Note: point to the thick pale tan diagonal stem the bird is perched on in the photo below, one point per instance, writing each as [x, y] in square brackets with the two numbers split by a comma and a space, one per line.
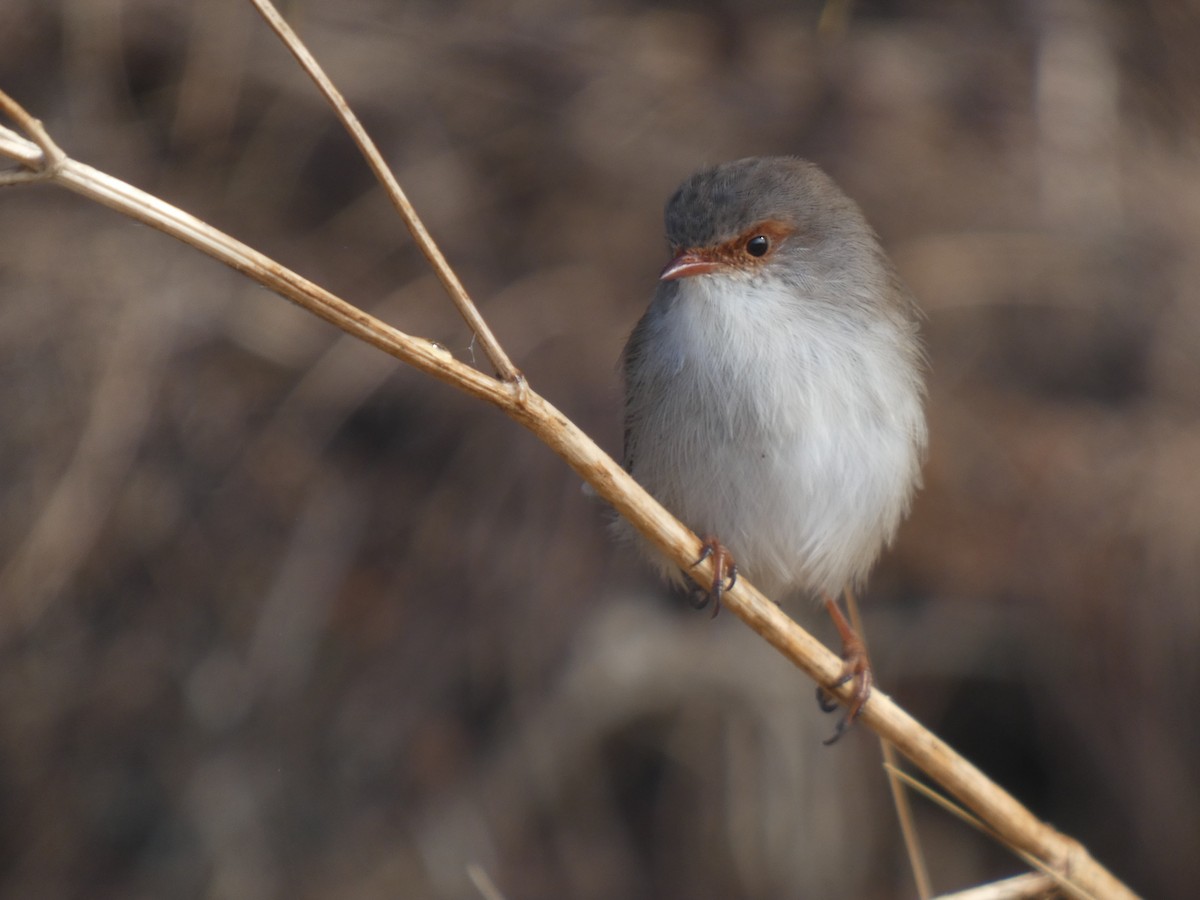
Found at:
[1066, 857]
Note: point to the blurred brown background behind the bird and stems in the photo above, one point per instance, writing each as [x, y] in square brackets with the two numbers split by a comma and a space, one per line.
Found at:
[280, 619]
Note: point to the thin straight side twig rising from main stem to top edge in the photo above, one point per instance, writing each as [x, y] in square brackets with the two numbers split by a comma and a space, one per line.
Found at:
[449, 279]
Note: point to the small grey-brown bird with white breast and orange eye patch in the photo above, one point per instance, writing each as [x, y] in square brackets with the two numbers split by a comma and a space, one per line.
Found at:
[775, 389]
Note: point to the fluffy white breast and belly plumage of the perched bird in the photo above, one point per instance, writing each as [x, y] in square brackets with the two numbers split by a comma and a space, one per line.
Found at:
[789, 430]
